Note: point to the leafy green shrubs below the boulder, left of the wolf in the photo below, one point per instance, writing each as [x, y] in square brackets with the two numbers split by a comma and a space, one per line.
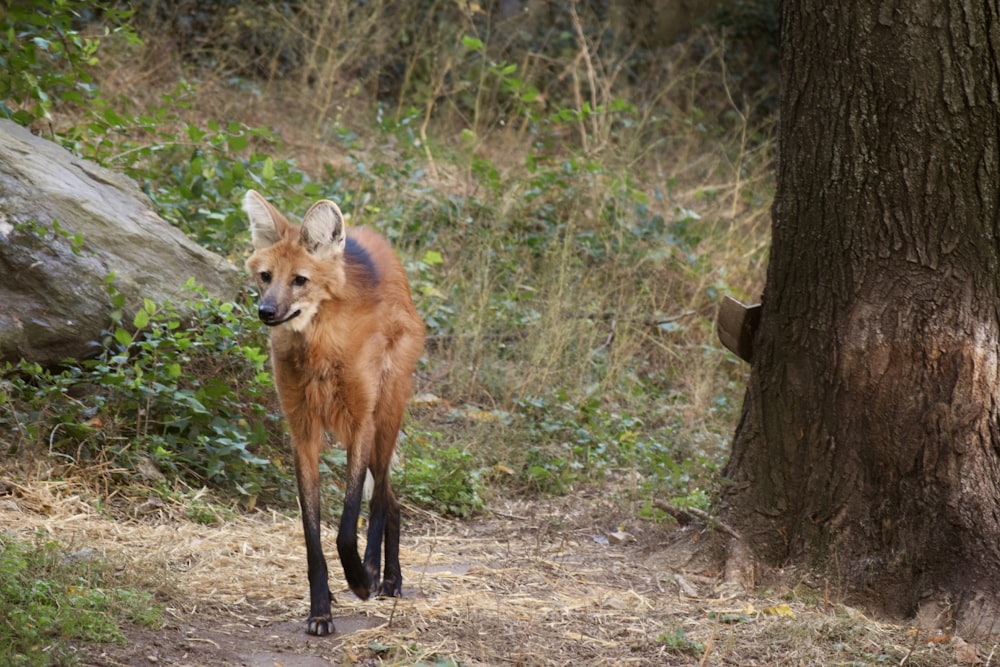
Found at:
[185, 388]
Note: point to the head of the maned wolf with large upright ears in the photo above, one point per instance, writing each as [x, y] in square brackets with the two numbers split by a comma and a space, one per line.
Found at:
[296, 268]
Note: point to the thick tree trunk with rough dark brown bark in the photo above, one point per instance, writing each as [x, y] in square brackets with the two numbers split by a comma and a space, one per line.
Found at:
[869, 443]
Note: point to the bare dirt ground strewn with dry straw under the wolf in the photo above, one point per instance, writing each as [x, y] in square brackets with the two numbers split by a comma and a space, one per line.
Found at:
[564, 581]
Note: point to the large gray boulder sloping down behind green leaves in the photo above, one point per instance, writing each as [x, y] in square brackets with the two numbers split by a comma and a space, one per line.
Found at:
[54, 303]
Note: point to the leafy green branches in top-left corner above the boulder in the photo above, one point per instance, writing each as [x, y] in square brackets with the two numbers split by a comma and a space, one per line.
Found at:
[45, 56]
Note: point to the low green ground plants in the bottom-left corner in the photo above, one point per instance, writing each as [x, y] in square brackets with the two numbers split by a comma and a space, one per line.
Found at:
[50, 599]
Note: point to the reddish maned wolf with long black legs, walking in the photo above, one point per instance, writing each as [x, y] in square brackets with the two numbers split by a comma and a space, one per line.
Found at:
[344, 341]
